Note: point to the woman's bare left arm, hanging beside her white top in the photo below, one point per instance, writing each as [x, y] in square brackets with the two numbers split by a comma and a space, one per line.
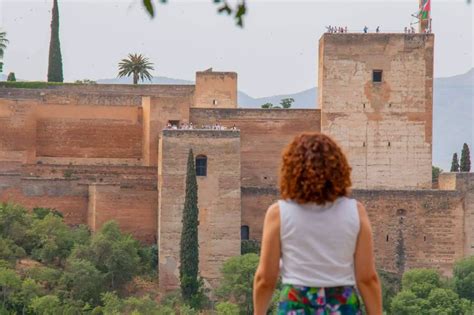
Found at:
[269, 265]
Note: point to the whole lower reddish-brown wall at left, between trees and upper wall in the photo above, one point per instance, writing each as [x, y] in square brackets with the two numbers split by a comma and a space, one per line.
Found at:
[66, 188]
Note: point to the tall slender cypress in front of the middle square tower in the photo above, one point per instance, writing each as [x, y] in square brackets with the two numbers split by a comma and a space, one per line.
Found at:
[189, 246]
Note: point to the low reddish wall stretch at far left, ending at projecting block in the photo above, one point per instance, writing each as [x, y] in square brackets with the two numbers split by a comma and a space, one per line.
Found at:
[70, 197]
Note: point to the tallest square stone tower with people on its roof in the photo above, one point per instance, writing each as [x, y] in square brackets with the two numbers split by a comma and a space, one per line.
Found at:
[376, 98]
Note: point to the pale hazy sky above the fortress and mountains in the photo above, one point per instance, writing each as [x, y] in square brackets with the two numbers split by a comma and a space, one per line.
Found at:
[275, 53]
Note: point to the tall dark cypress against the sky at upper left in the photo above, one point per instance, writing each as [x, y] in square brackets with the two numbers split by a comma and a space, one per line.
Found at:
[55, 65]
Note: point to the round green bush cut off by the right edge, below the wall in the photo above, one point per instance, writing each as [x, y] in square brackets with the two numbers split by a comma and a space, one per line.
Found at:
[463, 275]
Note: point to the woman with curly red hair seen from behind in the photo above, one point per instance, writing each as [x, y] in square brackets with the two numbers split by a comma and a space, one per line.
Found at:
[318, 238]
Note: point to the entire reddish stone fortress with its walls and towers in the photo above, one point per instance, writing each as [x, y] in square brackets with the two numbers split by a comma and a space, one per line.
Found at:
[103, 152]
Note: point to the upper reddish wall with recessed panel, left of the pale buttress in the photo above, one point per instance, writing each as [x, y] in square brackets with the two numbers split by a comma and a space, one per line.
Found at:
[33, 131]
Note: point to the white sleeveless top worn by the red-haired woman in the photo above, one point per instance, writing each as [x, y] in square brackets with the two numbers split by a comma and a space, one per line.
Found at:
[318, 242]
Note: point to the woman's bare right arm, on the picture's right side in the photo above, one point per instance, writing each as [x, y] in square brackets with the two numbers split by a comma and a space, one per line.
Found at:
[366, 276]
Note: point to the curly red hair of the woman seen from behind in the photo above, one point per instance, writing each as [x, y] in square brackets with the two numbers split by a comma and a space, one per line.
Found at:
[314, 169]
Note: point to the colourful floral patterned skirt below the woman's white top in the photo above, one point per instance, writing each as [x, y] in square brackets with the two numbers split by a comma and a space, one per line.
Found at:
[296, 300]
